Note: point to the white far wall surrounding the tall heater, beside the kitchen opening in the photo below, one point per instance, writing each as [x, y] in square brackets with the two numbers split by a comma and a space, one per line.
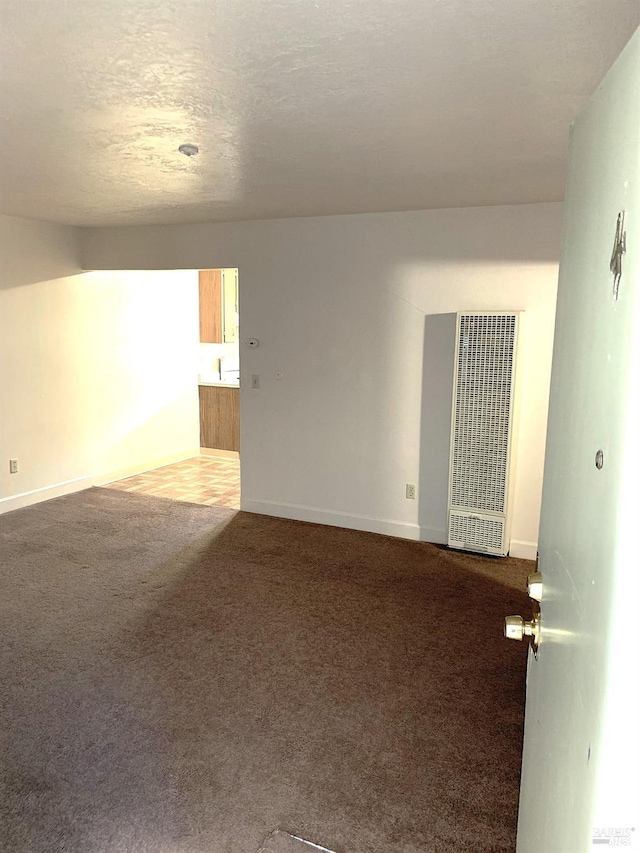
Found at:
[338, 304]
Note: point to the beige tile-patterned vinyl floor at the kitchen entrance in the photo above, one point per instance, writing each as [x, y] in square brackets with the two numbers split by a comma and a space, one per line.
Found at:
[208, 480]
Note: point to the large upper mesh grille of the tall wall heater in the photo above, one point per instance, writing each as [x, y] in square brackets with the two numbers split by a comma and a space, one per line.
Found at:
[482, 411]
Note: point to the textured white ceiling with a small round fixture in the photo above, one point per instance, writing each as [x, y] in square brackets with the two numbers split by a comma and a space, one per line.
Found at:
[299, 107]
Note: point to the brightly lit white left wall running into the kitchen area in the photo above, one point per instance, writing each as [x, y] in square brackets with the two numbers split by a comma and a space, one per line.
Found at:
[98, 371]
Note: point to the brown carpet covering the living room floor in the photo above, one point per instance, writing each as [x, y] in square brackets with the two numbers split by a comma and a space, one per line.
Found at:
[181, 678]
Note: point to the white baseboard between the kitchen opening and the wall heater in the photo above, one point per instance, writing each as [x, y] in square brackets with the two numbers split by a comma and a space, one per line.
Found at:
[387, 527]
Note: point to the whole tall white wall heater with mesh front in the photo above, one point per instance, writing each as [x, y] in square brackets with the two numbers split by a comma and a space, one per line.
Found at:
[480, 476]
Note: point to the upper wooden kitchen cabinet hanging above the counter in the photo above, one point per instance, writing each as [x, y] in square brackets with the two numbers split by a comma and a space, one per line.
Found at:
[218, 292]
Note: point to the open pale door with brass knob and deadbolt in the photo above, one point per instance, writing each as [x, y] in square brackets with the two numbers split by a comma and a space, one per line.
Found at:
[580, 762]
